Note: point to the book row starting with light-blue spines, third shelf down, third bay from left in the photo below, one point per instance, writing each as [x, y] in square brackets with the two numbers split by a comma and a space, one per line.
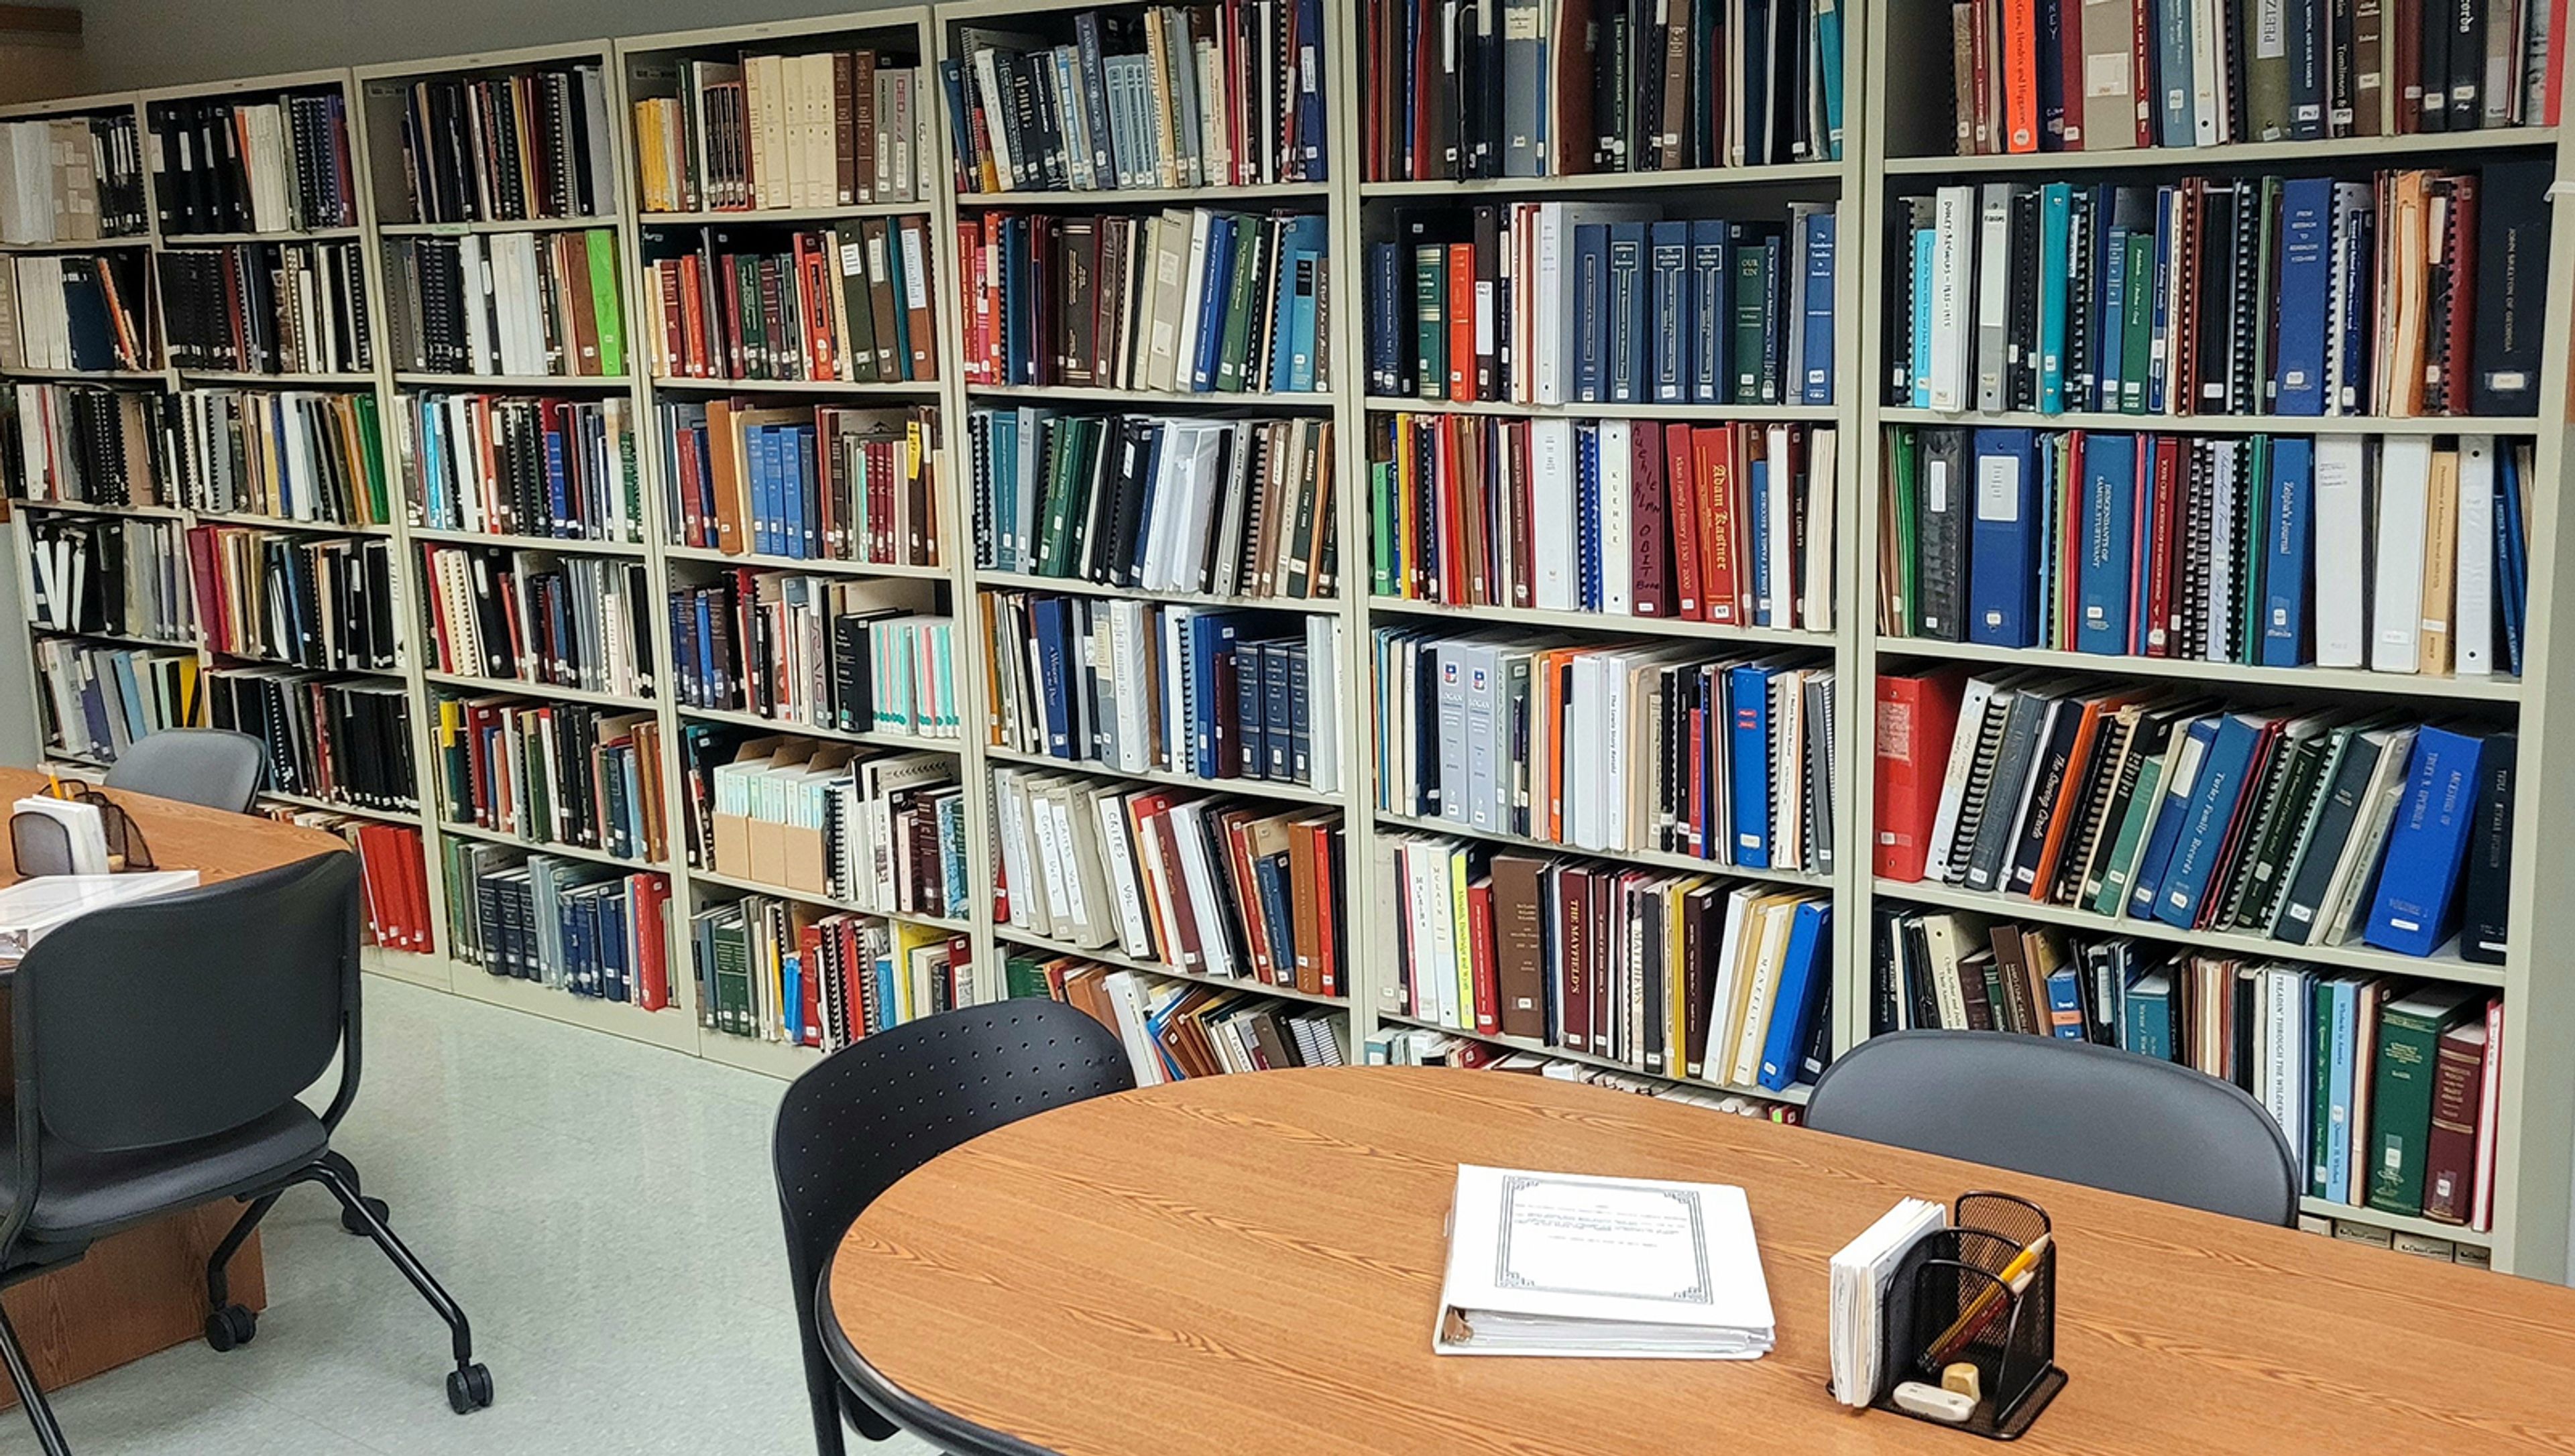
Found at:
[506, 464]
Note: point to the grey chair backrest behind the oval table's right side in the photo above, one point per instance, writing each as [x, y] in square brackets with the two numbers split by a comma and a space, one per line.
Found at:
[2064, 1110]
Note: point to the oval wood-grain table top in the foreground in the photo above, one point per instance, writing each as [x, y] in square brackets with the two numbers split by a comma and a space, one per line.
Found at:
[1253, 1264]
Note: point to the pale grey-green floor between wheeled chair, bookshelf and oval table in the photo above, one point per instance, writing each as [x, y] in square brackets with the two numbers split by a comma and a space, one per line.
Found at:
[604, 1213]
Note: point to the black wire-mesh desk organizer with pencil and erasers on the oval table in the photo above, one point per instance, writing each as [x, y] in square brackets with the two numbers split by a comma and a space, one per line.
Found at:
[2015, 1349]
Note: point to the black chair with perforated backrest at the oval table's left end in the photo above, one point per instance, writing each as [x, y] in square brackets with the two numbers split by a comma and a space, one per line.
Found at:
[872, 1113]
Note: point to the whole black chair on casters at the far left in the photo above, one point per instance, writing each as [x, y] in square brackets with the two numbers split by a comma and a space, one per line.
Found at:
[161, 1051]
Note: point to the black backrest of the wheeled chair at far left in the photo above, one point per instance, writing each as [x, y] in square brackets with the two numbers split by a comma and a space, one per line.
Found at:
[189, 1015]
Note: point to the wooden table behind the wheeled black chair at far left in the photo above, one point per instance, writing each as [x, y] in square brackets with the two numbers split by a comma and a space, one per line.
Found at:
[145, 1290]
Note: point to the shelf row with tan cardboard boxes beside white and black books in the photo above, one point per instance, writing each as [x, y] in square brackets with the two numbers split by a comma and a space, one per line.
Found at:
[872, 832]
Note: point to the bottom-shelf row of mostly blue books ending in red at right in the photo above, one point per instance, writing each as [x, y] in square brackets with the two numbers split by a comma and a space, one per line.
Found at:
[568, 925]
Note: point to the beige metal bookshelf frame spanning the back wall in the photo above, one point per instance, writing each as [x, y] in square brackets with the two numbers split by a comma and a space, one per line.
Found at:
[1896, 143]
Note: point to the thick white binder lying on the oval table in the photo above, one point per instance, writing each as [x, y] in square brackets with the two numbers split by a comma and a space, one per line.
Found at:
[1559, 1264]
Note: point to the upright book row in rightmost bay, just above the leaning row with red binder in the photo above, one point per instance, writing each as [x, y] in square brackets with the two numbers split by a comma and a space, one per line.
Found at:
[2404, 554]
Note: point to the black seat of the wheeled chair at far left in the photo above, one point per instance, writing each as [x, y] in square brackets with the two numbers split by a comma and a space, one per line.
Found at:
[91, 1195]
